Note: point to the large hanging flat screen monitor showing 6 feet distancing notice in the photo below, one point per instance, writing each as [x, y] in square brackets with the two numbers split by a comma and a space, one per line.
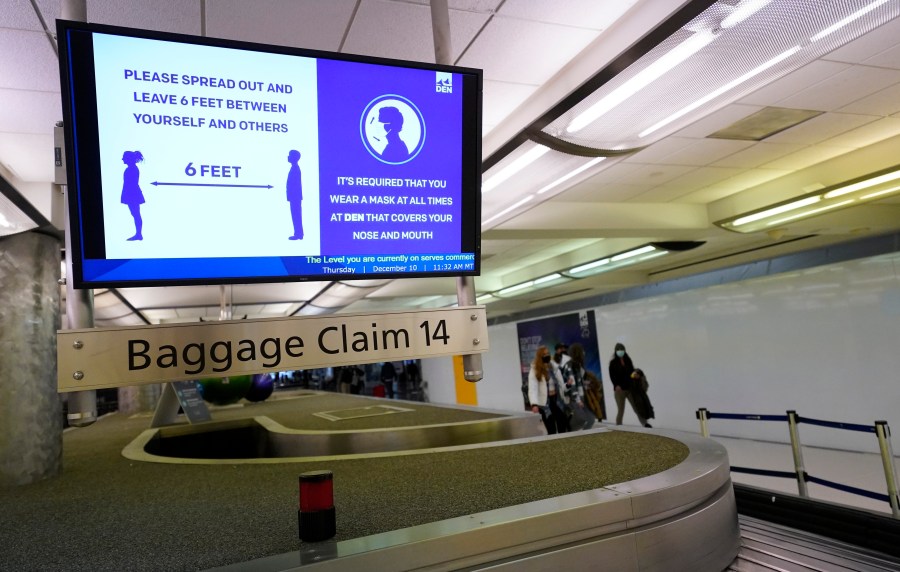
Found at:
[206, 161]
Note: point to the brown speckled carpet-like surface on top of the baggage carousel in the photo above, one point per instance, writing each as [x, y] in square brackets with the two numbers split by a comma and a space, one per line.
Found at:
[109, 513]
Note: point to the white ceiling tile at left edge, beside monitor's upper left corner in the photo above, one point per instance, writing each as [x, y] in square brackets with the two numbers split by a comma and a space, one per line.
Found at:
[41, 72]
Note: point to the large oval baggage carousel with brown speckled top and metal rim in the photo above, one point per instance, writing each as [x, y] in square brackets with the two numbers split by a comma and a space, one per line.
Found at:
[416, 487]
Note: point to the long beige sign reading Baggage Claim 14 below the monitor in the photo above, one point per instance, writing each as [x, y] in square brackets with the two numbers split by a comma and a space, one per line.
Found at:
[98, 358]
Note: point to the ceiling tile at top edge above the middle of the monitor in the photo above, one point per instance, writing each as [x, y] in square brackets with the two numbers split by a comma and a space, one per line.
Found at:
[310, 24]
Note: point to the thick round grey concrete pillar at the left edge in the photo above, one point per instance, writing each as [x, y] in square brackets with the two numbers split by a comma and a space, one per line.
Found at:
[30, 410]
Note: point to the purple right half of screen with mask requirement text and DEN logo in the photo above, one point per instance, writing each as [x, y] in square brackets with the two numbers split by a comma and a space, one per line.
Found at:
[389, 147]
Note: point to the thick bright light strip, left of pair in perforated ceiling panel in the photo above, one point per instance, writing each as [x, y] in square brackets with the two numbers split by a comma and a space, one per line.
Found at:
[645, 77]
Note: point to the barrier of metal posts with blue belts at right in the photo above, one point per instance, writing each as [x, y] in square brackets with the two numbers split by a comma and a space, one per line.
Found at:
[879, 428]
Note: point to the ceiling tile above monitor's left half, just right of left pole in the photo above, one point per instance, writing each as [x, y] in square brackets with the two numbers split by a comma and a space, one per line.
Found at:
[178, 16]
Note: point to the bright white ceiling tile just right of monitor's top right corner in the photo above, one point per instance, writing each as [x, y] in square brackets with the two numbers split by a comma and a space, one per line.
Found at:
[524, 52]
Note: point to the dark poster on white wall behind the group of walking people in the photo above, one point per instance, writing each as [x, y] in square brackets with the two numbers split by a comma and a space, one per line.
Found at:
[568, 329]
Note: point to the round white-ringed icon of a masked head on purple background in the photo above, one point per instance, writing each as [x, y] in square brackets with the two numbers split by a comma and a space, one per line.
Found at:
[392, 129]
